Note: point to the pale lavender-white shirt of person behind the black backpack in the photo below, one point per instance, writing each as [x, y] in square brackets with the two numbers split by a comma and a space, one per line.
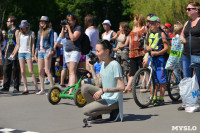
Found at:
[93, 35]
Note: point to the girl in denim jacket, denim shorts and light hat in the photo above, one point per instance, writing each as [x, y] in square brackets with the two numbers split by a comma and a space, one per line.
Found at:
[44, 50]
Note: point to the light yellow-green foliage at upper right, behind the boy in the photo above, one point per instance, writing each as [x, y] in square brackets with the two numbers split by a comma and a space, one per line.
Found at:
[167, 10]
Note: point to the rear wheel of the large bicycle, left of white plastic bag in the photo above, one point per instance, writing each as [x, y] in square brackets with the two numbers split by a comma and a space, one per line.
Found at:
[172, 85]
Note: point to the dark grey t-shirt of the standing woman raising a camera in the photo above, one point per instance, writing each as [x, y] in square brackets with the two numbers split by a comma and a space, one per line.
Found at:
[76, 45]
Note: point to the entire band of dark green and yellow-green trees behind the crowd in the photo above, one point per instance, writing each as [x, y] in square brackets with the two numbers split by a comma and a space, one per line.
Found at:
[114, 10]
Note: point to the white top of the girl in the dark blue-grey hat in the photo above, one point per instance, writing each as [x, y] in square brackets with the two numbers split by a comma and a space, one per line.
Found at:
[24, 48]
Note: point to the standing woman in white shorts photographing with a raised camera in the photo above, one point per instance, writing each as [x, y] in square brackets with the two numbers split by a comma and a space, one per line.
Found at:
[73, 46]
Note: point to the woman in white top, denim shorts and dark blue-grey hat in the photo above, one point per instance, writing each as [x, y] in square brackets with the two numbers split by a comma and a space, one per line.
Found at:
[25, 49]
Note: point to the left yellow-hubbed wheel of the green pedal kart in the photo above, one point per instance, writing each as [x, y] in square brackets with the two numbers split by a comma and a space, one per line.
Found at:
[53, 95]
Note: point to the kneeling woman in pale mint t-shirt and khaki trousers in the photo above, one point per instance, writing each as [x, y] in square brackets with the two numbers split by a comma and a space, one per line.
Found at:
[109, 98]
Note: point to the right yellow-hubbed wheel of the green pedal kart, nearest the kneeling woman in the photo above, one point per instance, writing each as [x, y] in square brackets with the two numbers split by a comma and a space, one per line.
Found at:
[79, 99]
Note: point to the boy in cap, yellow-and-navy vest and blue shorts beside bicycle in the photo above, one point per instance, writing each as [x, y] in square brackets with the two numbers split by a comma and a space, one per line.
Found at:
[158, 57]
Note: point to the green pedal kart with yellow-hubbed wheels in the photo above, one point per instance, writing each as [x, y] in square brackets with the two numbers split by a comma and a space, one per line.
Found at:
[55, 94]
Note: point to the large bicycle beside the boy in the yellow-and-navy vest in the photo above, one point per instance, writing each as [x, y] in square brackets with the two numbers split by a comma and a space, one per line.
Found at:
[143, 86]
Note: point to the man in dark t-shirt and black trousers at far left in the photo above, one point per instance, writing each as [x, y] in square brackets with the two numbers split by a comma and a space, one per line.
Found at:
[11, 65]
